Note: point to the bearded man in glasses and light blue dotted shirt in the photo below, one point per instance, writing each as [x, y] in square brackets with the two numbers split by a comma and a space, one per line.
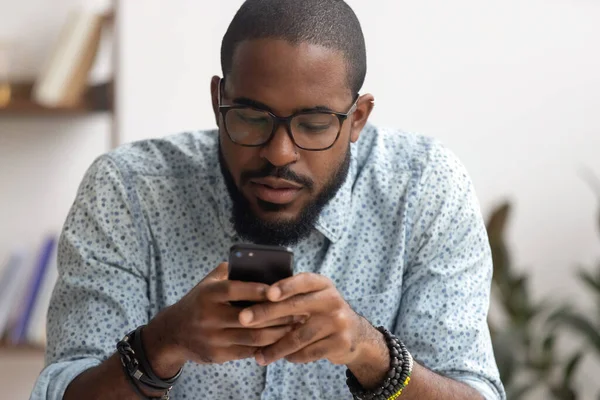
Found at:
[385, 228]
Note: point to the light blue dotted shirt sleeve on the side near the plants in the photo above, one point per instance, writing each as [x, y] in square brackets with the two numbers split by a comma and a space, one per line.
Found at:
[446, 286]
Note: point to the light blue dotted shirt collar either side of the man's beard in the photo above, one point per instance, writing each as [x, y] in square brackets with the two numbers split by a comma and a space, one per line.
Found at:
[332, 221]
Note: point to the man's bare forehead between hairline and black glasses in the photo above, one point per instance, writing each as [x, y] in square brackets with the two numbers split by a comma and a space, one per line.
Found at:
[288, 76]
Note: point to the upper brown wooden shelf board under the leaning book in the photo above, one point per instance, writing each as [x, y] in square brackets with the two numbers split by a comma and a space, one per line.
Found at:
[98, 98]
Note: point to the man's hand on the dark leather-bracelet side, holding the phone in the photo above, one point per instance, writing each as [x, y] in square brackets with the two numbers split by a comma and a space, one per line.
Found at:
[204, 327]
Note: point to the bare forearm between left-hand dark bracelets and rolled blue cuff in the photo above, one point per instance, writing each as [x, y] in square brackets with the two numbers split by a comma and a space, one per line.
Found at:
[105, 381]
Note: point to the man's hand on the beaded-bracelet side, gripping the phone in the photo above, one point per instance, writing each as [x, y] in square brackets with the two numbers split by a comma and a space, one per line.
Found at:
[331, 329]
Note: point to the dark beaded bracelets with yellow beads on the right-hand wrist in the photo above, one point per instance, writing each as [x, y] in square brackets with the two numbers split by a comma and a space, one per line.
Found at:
[397, 378]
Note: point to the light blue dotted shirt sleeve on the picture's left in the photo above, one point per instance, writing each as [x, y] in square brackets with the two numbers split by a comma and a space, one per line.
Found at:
[101, 291]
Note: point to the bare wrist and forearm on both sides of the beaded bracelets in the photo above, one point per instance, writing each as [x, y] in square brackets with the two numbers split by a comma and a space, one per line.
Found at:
[373, 364]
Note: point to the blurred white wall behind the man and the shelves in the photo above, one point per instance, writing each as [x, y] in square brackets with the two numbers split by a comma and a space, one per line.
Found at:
[511, 86]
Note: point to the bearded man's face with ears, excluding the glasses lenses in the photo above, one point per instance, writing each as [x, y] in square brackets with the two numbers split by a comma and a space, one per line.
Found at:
[279, 189]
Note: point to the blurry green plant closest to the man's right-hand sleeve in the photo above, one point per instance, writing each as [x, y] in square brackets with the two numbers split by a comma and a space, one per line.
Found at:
[524, 345]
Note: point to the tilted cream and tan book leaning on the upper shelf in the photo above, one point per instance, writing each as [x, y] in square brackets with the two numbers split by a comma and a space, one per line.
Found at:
[64, 76]
